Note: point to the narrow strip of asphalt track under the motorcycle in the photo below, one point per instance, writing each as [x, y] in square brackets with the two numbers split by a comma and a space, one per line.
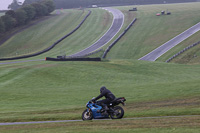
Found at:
[65, 121]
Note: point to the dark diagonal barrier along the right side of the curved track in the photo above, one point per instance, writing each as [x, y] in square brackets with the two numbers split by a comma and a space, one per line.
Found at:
[118, 38]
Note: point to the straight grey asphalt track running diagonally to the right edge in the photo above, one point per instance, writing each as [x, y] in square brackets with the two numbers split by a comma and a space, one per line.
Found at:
[155, 54]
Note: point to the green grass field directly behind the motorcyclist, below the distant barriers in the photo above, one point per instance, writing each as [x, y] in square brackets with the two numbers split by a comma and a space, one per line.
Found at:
[56, 90]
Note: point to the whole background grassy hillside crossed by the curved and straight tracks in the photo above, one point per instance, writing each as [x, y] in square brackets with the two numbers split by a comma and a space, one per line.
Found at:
[149, 32]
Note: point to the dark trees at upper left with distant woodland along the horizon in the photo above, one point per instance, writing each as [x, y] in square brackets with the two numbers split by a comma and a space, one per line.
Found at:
[31, 9]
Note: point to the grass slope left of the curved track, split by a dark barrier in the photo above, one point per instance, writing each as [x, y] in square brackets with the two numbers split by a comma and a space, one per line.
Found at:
[41, 36]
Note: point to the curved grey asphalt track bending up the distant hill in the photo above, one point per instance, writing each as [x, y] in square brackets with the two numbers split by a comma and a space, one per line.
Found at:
[118, 21]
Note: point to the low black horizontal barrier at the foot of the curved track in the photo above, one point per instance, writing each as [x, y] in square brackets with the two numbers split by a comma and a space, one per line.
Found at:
[72, 59]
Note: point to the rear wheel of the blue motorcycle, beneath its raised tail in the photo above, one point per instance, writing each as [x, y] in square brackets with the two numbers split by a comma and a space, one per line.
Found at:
[118, 113]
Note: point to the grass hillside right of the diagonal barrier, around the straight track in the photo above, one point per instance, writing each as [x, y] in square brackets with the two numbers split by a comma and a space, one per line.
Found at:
[150, 31]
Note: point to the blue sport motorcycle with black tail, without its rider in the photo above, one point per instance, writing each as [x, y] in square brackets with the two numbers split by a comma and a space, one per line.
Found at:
[95, 111]
